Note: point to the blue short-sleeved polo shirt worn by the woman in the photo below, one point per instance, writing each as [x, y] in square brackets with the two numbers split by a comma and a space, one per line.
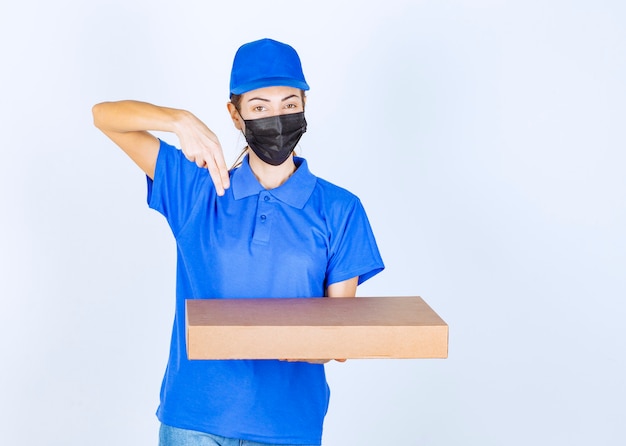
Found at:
[292, 241]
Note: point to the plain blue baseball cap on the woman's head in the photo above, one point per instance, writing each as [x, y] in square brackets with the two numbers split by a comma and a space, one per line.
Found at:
[266, 63]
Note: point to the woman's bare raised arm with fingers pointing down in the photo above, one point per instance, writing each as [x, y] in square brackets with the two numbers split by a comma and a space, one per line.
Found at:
[127, 124]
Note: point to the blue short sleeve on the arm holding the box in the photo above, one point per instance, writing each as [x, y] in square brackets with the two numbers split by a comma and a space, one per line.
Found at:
[354, 251]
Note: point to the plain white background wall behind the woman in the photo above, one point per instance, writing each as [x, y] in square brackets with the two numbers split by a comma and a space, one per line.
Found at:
[485, 138]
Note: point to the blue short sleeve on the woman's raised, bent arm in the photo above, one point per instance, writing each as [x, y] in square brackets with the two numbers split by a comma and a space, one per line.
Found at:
[176, 186]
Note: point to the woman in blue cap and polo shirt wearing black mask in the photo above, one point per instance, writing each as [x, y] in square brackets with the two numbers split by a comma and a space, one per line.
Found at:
[268, 228]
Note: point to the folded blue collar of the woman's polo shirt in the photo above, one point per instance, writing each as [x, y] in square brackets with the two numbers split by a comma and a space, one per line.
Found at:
[295, 191]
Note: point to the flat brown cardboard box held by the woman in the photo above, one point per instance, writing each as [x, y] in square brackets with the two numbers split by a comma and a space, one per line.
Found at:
[314, 328]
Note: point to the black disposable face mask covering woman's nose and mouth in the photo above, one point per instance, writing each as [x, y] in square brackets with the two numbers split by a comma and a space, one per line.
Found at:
[273, 139]
